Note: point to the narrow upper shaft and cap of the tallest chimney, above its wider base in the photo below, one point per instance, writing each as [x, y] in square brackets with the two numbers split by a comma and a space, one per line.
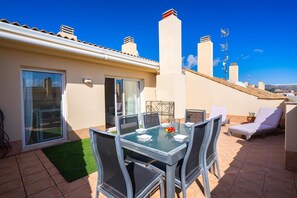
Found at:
[170, 51]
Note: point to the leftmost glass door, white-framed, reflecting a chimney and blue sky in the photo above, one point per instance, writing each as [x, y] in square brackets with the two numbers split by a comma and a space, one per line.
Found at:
[42, 104]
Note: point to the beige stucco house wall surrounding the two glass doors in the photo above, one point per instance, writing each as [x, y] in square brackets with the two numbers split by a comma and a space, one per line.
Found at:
[84, 104]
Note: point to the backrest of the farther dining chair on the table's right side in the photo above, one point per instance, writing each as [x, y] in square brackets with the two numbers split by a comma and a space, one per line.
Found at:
[216, 129]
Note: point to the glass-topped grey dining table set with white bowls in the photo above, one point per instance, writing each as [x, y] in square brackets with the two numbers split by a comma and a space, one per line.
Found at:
[162, 146]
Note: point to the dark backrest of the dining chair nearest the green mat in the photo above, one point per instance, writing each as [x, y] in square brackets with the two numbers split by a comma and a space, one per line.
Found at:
[113, 176]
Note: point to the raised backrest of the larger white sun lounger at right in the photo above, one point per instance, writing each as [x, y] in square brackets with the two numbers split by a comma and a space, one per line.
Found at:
[269, 116]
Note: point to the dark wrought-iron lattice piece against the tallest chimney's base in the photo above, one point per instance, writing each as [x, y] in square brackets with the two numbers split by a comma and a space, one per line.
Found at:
[164, 108]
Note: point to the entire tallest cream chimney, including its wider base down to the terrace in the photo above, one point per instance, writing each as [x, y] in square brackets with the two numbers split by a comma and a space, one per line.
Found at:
[170, 53]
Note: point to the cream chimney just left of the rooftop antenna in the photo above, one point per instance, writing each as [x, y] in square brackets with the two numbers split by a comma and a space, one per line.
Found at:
[205, 56]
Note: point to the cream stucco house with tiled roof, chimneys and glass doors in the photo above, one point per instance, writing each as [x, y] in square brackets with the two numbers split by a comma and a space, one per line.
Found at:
[55, 86]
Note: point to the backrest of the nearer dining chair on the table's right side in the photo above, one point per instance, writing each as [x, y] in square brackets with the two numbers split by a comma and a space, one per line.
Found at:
[195, 157]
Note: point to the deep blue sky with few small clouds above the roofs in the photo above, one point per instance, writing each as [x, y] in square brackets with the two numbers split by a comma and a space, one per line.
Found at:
[262, 39]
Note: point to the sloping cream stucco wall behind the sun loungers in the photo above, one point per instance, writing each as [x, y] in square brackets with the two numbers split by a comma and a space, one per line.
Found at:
[203, 93]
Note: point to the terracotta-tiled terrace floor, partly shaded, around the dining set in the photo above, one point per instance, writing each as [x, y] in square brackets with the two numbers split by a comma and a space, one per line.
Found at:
[249, 169]
